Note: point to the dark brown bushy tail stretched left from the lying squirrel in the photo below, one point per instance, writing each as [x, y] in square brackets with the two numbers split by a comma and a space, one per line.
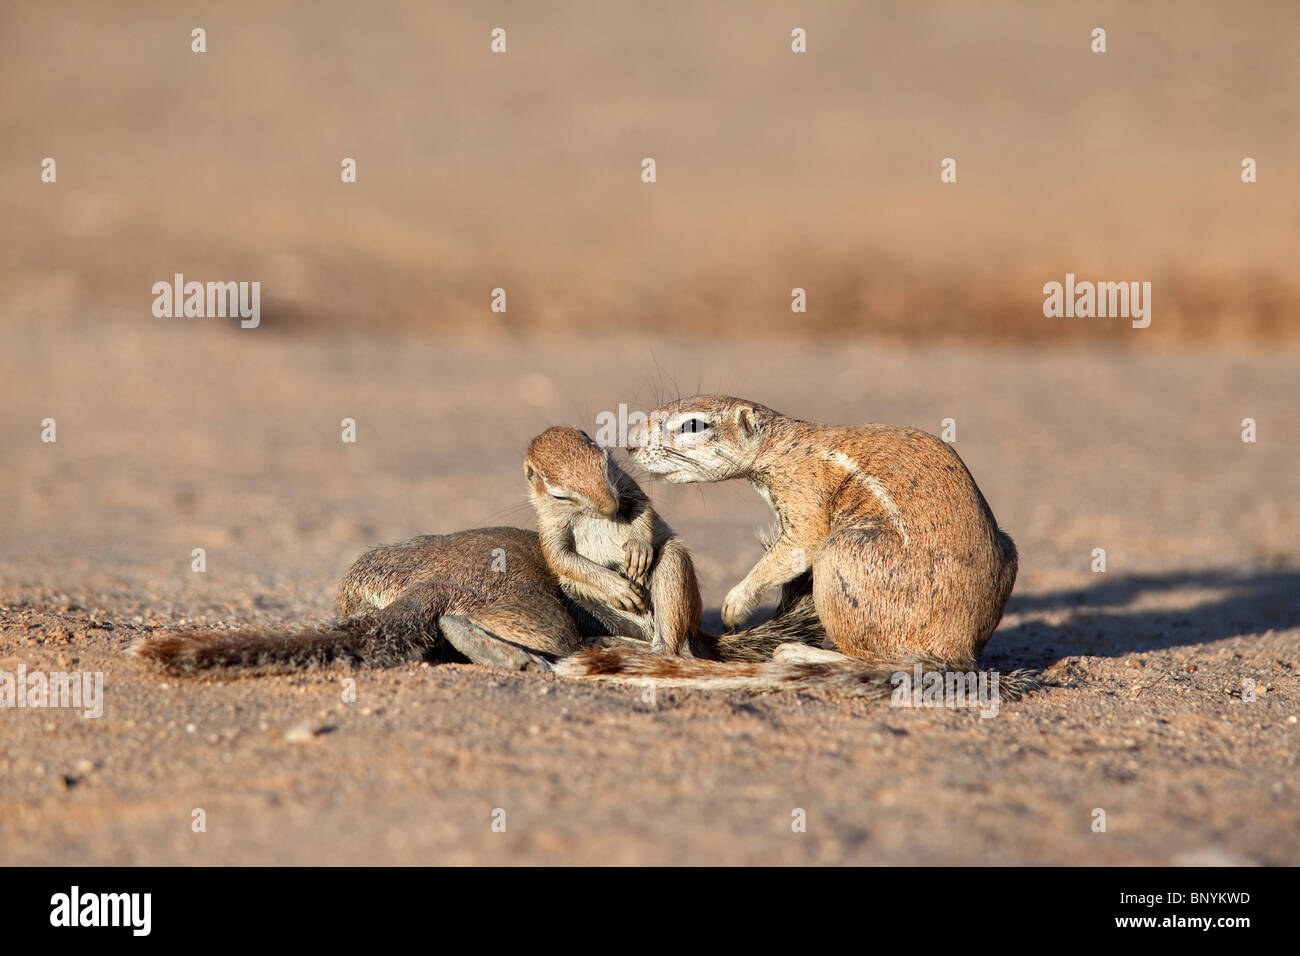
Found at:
[361, 641]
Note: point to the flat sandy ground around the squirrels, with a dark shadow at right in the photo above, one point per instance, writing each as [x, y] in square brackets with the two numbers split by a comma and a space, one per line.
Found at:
[189, 435]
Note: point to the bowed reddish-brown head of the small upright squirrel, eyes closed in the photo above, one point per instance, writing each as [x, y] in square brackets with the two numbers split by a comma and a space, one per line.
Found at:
[565, 469]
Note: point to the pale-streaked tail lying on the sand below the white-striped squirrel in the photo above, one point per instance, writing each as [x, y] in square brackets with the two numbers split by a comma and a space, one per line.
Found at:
[795, 669]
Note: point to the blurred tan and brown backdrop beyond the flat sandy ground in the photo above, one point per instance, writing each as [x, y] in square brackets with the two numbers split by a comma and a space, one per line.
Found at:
[522, 171]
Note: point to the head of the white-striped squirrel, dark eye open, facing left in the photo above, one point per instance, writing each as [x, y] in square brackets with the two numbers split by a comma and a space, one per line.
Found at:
[701, 439]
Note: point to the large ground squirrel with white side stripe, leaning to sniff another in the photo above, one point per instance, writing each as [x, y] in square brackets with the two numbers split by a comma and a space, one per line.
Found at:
[907, 560]
